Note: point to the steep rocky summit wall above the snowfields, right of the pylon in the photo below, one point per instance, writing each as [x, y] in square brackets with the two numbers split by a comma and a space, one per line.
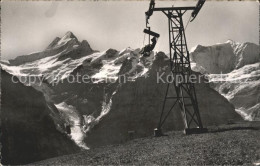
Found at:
[225, 57]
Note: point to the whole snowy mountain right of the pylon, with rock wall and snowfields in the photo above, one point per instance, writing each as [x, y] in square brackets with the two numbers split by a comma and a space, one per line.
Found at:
[234, 71]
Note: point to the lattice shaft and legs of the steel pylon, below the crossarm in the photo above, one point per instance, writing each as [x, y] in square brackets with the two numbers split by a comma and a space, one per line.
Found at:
[180, 68]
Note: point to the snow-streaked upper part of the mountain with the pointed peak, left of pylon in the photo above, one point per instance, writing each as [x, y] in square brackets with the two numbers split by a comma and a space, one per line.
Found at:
[55, 66]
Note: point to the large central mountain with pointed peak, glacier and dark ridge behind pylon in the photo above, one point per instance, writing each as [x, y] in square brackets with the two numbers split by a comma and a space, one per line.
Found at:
[120, 98]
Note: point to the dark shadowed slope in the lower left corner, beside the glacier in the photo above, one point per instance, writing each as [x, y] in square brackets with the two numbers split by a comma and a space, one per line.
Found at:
[28, 132]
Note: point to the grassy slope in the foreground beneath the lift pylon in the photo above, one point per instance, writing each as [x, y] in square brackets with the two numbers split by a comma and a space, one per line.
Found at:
[230, 148]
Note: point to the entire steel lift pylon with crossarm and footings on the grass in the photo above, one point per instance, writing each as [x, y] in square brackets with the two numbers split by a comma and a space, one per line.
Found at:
[185, 93]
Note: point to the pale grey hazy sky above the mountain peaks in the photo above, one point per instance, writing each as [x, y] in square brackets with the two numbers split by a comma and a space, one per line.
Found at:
[30, 26]
